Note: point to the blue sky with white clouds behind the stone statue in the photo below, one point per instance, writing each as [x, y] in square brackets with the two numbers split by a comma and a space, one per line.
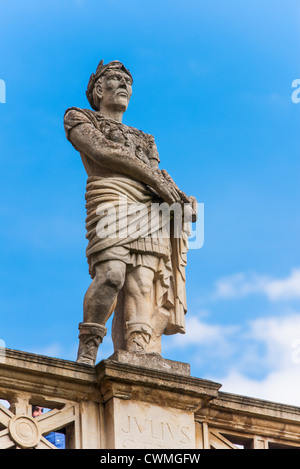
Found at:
[213, 84]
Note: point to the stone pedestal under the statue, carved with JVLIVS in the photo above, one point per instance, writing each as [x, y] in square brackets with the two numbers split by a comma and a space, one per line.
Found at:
[150, 402]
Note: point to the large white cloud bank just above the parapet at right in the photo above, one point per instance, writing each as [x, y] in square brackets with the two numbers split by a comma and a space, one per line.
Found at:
[259, 359]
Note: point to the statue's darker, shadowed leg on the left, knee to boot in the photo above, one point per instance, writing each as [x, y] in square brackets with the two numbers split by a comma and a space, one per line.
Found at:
[99, 303]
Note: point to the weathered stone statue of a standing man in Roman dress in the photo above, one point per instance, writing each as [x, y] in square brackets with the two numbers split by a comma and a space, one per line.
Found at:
[139, 275]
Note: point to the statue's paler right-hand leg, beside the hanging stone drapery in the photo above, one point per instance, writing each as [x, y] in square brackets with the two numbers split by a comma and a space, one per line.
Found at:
[138, 308]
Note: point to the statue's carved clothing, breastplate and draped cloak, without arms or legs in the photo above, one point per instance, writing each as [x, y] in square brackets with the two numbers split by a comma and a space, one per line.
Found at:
[117, 229]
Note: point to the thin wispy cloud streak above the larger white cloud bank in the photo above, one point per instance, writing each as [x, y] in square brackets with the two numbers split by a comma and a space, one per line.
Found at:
[240, 285]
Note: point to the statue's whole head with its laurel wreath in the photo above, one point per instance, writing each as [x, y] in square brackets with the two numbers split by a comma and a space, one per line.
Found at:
[110, 86]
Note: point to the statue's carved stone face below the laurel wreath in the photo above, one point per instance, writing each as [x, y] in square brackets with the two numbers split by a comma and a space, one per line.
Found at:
[114, 90]
